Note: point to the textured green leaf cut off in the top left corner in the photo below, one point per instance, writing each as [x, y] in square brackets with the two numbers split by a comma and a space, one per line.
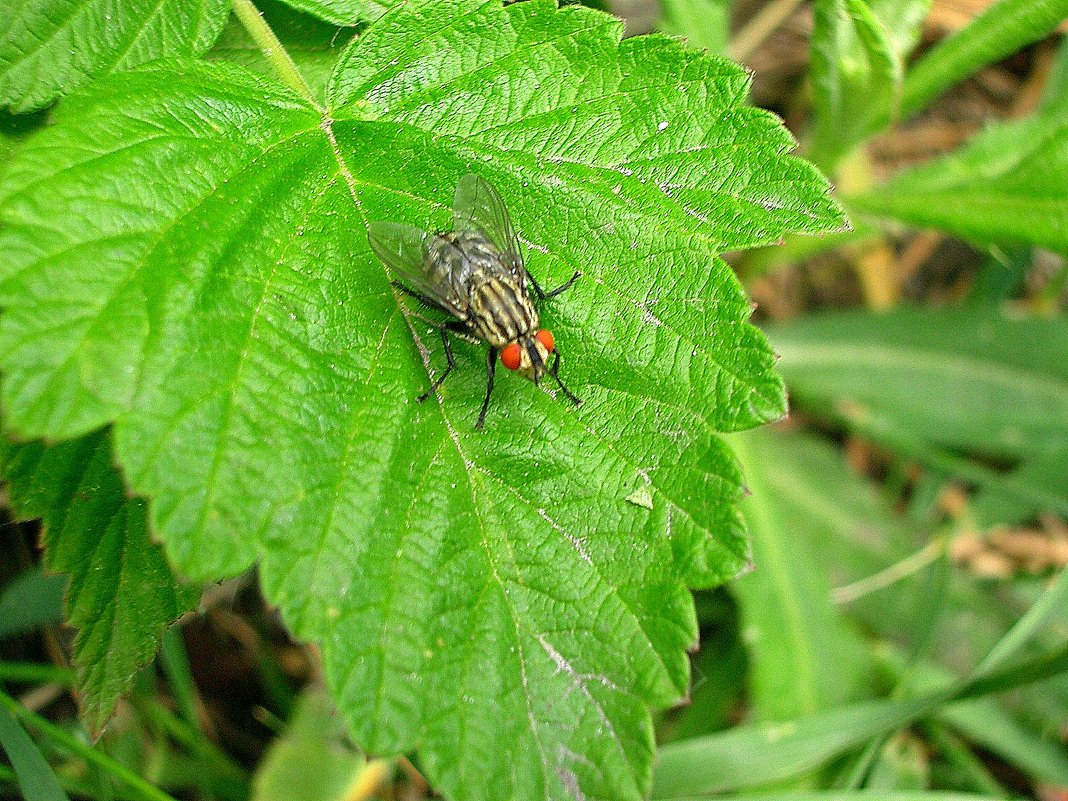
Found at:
[51, 48]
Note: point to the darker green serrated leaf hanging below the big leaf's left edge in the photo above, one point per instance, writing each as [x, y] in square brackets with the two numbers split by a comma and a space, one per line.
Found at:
[121, 592]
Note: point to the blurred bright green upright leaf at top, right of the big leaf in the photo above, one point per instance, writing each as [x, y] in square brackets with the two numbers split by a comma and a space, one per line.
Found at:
[858, 49]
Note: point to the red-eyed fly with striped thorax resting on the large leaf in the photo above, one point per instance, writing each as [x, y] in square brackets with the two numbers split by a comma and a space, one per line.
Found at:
[476, 275]
